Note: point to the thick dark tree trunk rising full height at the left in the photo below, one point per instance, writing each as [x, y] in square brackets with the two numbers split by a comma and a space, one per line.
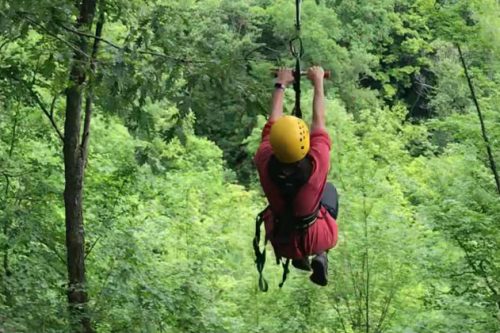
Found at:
[74, 164]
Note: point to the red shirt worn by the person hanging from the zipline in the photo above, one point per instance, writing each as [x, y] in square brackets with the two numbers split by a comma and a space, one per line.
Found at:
[320, 236]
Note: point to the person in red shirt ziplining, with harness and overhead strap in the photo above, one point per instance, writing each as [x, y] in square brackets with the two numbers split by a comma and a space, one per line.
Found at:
[293, 164]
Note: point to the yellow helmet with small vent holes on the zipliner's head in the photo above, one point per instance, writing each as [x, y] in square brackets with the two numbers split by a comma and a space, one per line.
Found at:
[289, 139]
